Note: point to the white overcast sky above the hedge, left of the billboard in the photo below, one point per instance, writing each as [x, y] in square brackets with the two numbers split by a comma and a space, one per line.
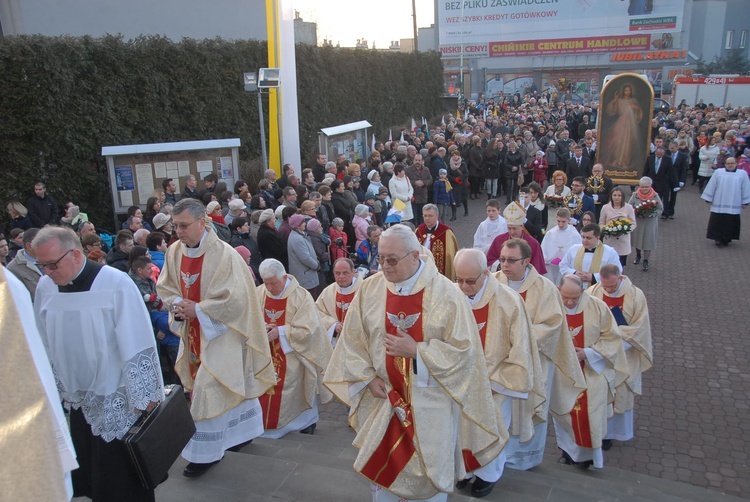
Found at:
[344, 21]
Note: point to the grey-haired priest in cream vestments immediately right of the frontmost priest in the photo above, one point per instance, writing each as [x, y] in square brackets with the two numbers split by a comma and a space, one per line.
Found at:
[511, 355]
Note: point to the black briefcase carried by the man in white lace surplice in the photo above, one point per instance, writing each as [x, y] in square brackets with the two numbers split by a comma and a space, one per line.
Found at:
[155, 441]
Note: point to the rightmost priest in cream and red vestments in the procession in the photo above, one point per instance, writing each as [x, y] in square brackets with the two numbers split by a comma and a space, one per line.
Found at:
[630, 310]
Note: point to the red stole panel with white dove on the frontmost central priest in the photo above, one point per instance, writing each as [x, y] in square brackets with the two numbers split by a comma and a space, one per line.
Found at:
[397, 446]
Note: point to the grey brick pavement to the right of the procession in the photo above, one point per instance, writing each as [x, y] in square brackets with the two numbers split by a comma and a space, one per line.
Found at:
[689, 423]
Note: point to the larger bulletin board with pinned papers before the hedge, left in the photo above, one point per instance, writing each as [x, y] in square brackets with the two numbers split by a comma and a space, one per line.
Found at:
[135, 171]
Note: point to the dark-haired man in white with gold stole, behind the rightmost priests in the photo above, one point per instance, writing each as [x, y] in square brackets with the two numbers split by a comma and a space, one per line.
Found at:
[585, 259]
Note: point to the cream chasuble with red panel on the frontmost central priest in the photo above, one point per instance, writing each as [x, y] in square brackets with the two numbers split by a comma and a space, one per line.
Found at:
[408, 443]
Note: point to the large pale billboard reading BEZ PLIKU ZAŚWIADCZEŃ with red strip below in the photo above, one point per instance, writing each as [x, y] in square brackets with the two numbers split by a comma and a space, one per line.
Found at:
[504, 26]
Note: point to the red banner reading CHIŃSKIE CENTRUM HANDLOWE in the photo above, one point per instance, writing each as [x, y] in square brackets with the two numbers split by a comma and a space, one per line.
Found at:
[578, 45]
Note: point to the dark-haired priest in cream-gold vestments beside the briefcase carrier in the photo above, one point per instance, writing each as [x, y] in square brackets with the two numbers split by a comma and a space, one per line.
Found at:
[224, 359]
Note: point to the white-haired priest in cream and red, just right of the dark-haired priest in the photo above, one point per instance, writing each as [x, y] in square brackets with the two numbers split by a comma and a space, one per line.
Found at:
[299, 349]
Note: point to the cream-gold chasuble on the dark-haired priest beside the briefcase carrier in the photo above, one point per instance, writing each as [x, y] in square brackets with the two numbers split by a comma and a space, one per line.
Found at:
[235, 366]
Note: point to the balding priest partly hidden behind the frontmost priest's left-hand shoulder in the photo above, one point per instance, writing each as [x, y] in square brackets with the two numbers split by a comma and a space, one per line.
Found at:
[333, 303]
